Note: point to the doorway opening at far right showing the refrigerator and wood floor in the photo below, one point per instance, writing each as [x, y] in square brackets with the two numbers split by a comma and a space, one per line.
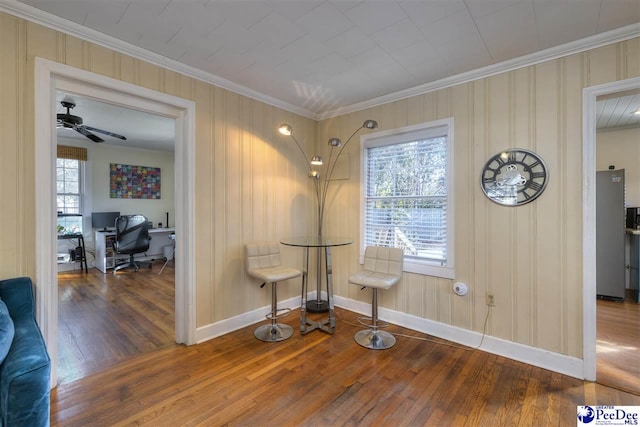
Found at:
[618, 186]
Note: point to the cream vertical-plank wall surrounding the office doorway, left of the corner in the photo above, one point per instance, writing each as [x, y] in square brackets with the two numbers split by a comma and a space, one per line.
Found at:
[248, 176]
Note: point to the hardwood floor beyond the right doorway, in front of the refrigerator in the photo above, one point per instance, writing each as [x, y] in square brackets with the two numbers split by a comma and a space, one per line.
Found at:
[618, 344]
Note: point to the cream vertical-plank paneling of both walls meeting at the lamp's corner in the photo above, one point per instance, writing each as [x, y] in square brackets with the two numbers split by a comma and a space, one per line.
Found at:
[251, 184]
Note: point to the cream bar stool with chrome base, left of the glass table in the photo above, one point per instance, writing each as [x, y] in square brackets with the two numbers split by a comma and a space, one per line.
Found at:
[263, 263]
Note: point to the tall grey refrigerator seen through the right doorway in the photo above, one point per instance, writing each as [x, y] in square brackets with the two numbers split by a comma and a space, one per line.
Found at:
[610, 234]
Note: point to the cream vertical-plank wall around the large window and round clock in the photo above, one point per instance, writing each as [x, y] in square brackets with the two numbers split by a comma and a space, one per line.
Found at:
[530, 257]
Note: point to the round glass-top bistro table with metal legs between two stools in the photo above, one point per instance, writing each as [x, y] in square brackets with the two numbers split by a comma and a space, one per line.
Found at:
[317, 306]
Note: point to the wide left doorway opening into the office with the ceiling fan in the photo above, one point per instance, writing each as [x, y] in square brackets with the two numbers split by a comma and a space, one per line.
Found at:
[104, 318]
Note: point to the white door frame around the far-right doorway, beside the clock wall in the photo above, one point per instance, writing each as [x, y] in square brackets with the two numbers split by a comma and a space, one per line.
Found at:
[589, 97]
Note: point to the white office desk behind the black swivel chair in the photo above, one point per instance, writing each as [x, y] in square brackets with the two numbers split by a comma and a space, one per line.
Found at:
[106, 258]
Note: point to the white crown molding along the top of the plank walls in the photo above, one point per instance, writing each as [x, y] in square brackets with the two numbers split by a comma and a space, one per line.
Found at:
[48, 20]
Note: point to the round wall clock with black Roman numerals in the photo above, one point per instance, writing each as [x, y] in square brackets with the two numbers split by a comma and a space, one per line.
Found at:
[514, 177]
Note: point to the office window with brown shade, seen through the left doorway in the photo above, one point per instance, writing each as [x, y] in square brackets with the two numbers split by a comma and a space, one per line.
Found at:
[69, 169]
